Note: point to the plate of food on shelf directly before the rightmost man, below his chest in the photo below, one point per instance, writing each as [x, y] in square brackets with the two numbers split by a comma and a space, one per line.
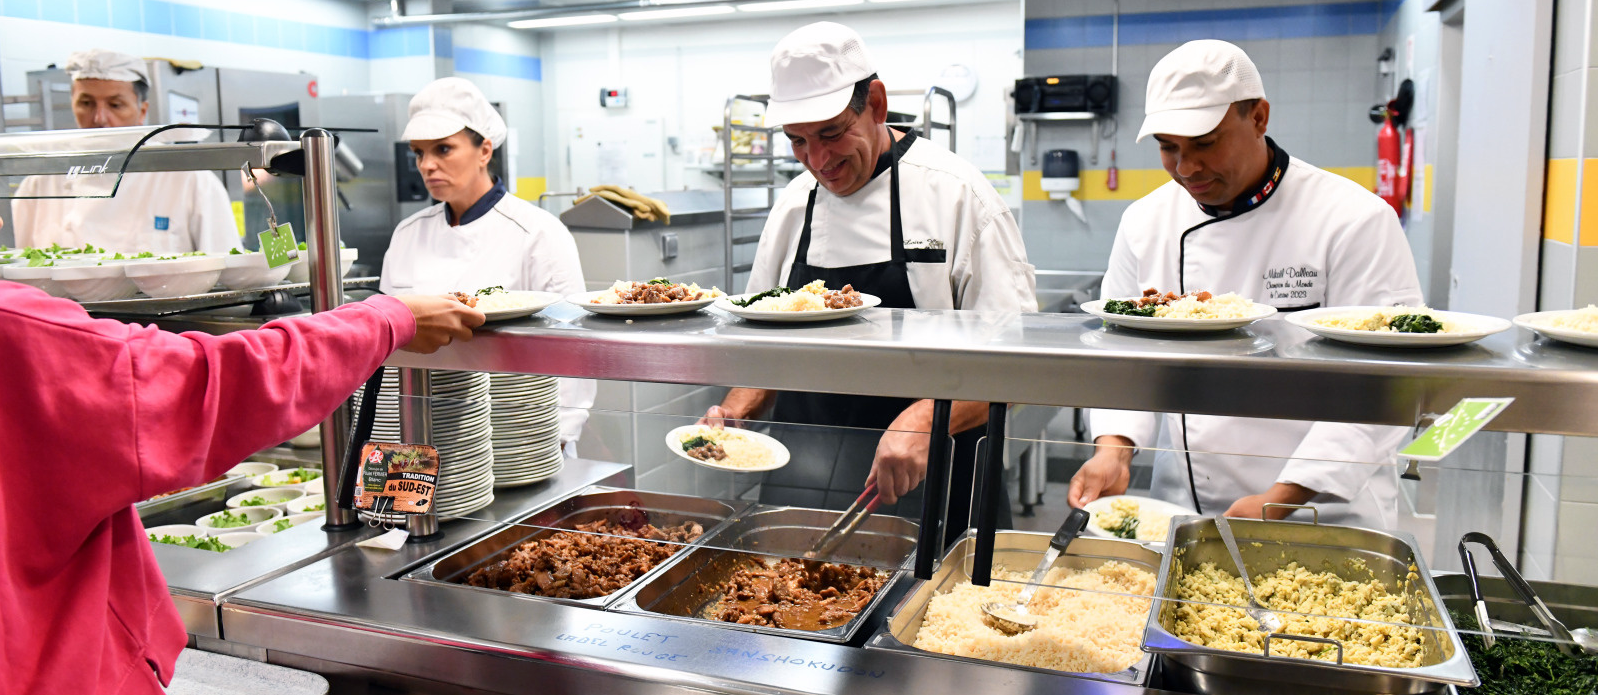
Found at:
[1171, 312]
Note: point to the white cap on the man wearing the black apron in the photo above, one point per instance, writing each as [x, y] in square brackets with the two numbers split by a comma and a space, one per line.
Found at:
[814, 74]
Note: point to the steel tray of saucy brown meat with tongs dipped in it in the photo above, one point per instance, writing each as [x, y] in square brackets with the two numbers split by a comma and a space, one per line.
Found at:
[683, 590]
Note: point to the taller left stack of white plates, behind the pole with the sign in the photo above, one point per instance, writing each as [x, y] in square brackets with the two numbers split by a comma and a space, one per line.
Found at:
[461, 434]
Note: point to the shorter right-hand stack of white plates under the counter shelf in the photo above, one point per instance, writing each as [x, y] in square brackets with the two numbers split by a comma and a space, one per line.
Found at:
[527, 423]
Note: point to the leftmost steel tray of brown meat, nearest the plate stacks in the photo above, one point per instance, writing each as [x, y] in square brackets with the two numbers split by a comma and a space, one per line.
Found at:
[590, 504]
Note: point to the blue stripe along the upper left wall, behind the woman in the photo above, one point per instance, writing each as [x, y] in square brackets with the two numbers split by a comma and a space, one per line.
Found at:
[180, 20]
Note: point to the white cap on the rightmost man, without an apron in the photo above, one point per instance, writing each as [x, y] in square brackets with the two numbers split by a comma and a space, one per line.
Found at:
[1193, 87]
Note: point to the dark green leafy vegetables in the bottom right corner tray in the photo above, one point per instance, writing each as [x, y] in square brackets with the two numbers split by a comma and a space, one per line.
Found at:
[1516, 667]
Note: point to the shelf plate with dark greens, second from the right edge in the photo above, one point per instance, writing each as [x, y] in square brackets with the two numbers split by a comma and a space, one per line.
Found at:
[1397, 327]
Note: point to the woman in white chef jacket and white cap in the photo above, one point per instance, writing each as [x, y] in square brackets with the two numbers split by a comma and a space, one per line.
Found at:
[479, 236]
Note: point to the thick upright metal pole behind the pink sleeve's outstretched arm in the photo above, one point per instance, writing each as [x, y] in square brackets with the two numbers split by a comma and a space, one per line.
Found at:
[327, 293]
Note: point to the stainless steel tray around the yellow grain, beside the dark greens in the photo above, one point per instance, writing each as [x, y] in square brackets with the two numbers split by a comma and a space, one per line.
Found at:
[1270, 546]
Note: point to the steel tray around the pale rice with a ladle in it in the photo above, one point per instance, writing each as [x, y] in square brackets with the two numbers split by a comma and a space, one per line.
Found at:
[1017, 550]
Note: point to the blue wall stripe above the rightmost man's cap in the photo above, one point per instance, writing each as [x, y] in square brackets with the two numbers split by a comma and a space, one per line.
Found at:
[1300, 22]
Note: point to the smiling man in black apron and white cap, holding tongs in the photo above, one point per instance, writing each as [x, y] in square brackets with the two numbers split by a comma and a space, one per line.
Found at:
[899, 218]
